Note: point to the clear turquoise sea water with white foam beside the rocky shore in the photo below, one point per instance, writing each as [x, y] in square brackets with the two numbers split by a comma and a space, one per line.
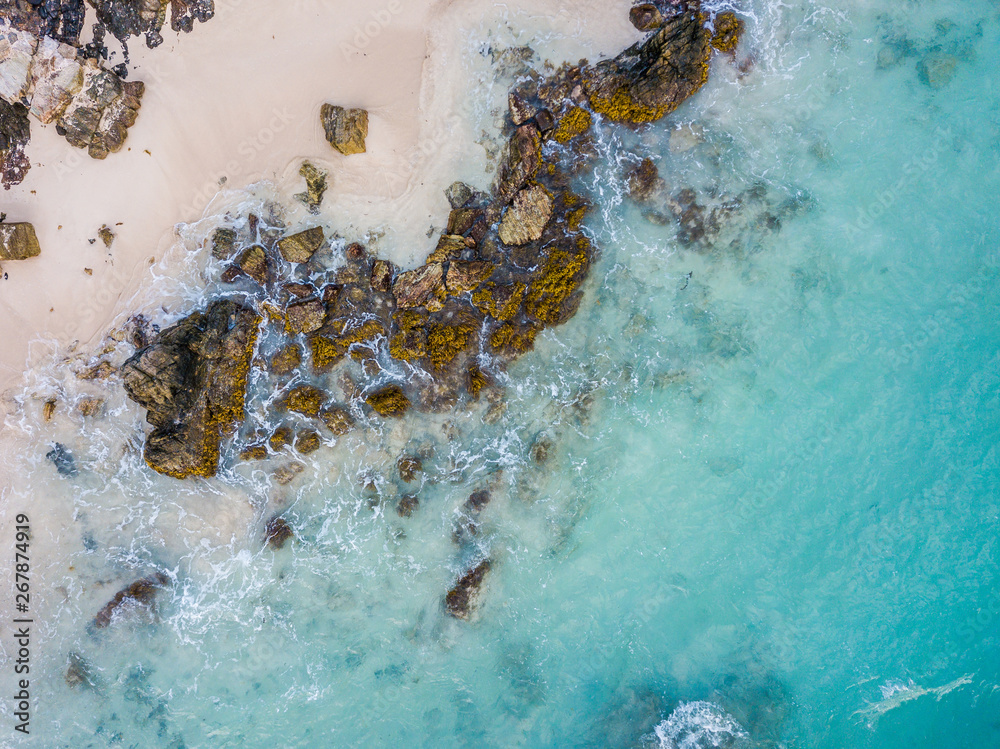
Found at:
[768, 516]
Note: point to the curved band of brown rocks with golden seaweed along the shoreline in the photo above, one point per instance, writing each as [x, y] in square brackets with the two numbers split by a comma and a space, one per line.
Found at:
[509, 263]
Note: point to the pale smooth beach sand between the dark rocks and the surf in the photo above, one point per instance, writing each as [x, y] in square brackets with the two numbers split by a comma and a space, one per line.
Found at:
[237, 101]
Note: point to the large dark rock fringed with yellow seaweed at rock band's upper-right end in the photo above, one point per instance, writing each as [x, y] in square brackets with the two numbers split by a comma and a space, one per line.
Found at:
[652, 78]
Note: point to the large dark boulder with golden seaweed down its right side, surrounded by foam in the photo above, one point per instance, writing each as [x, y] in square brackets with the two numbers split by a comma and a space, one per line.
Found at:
[192, 380]
